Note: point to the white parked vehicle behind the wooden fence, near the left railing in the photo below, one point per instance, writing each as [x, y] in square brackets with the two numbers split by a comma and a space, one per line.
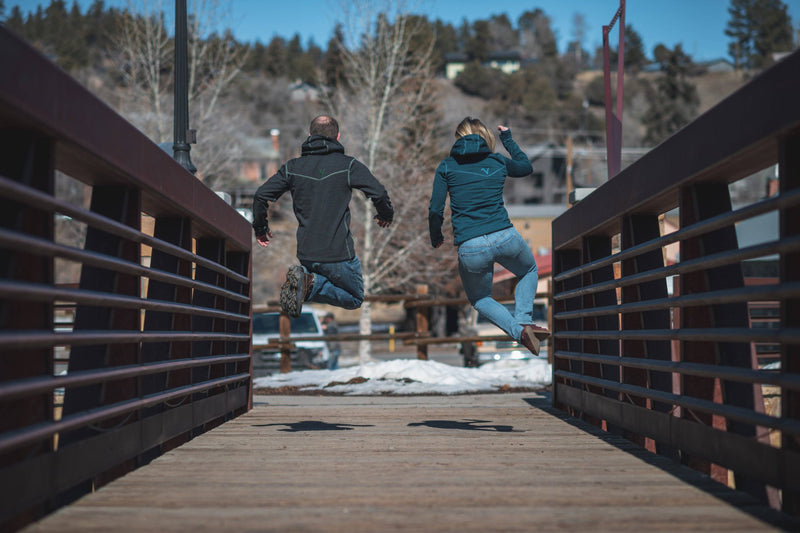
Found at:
[306, 354]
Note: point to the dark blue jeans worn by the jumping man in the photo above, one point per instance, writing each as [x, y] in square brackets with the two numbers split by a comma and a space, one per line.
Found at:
[338, 284]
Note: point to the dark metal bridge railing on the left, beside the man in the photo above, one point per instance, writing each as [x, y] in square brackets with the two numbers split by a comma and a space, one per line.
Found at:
[124, 294]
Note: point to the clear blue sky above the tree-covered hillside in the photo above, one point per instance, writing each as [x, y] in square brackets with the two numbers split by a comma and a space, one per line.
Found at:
[698, 24]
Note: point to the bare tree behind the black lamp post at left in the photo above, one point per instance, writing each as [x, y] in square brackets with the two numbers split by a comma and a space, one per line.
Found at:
[146, 57]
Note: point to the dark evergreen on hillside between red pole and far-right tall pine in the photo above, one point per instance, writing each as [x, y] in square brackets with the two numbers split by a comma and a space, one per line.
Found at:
[676, 101]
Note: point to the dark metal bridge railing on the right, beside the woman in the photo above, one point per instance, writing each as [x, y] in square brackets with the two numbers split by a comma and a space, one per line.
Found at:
[666, 351]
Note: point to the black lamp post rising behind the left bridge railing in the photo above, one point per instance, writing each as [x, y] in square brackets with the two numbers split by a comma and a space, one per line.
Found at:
[183, 135]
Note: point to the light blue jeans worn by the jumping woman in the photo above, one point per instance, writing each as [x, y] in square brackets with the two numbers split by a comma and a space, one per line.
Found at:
[476, 258]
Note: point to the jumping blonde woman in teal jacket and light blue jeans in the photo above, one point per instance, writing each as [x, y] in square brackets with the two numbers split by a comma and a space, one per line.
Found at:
[474, 175]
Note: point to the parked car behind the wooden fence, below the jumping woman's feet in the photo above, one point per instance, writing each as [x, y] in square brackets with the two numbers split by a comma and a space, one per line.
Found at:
[476, 354]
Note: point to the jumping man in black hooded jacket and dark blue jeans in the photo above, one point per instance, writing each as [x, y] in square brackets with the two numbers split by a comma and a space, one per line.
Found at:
[321, 182]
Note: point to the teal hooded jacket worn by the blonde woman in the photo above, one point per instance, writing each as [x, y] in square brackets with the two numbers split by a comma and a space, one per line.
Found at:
[474, 177]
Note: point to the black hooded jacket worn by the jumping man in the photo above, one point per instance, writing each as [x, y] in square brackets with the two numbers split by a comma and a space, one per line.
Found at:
[321, 181]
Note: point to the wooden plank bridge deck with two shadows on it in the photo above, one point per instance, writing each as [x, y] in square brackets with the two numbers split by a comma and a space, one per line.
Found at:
[466, 463]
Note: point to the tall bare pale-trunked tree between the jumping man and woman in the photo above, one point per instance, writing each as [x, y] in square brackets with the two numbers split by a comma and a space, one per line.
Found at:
[389, 119]
